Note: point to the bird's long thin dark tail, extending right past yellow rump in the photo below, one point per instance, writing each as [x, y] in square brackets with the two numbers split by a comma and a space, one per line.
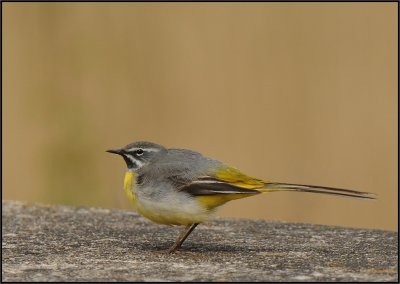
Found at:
[276, 186]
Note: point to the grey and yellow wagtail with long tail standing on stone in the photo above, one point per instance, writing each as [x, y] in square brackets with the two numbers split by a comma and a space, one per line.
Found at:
[183, 187]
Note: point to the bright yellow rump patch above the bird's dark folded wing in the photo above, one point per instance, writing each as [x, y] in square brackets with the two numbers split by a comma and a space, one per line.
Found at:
[237, 178]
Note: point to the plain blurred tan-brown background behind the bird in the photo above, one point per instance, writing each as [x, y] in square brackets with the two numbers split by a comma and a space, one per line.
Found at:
[290, 92]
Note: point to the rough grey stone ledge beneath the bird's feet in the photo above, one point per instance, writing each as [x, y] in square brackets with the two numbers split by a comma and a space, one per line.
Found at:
[60, 243]
